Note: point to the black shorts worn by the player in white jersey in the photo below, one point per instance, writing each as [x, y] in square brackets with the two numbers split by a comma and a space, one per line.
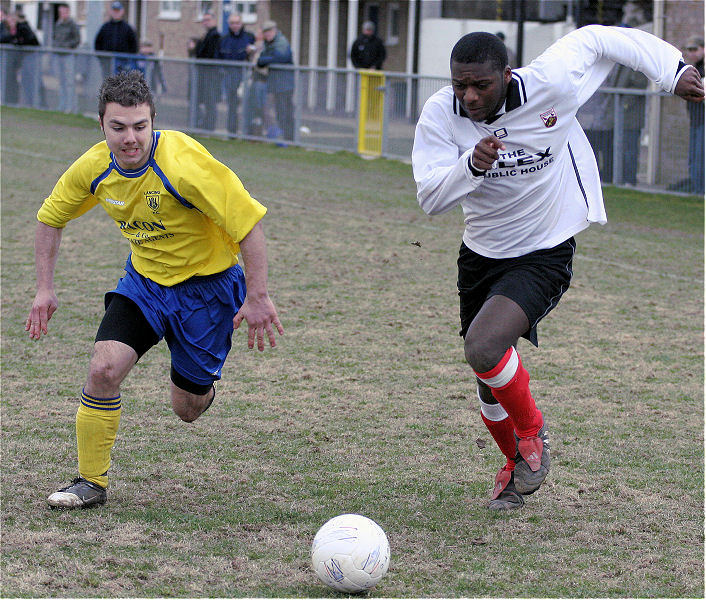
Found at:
[535, 281]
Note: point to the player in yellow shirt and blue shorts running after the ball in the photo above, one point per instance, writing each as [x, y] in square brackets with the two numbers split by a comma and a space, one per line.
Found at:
[186, 216]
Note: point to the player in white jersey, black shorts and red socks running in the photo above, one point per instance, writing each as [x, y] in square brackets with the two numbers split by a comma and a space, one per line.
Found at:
[506, 146]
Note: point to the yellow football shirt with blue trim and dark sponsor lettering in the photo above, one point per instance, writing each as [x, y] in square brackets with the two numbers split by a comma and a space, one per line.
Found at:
[184, 212]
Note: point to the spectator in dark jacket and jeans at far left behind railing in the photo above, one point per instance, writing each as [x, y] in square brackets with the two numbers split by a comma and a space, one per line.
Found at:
[19, 33]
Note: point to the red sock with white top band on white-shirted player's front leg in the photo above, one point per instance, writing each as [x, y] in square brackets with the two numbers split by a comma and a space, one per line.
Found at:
[509, 382]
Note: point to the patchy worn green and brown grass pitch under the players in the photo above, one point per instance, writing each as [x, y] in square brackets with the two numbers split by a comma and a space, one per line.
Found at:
[366, 405]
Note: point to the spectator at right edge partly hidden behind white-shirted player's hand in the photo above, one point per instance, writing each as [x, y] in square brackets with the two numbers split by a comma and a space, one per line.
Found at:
[694, 55]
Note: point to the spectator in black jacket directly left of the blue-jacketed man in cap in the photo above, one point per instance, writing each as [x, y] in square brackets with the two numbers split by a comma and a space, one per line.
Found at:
[208, 81]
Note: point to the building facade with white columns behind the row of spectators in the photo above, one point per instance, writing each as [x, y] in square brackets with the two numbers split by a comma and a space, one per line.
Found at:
[321, 32]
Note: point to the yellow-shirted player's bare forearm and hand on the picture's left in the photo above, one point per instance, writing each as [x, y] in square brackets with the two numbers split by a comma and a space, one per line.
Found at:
[46, 250]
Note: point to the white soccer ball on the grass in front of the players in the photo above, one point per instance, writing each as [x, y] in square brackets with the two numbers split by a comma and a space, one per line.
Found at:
[350, 553]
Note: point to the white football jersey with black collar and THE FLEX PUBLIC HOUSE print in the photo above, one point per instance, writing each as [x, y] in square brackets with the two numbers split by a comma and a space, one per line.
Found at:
[545, 186]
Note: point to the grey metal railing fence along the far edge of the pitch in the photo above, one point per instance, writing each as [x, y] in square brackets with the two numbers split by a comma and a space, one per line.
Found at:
[232, 99]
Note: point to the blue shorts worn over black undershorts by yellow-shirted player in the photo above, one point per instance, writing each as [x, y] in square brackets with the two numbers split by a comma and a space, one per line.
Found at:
[194, 317]
